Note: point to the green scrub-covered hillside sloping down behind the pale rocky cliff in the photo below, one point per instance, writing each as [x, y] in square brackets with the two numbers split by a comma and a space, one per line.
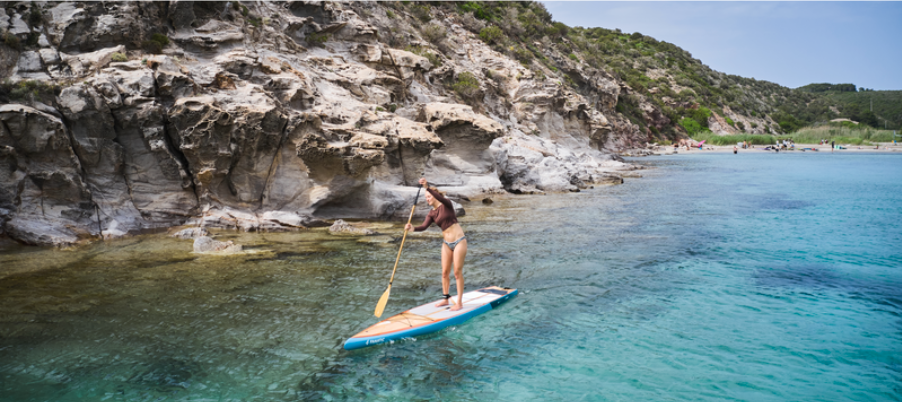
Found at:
[658, 74]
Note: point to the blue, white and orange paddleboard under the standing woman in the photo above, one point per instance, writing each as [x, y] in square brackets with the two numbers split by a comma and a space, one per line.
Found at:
[427, 318]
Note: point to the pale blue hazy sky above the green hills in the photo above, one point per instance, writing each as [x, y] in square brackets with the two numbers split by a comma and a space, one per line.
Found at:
[789, 43]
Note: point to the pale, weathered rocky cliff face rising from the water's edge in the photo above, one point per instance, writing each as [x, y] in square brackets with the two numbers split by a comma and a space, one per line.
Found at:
[264, 116]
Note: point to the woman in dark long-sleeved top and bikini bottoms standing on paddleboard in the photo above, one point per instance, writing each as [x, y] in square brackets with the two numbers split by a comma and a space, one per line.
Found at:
[454, 251]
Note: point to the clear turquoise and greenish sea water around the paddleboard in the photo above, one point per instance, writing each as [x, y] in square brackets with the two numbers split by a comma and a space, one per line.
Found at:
[750, 277]
